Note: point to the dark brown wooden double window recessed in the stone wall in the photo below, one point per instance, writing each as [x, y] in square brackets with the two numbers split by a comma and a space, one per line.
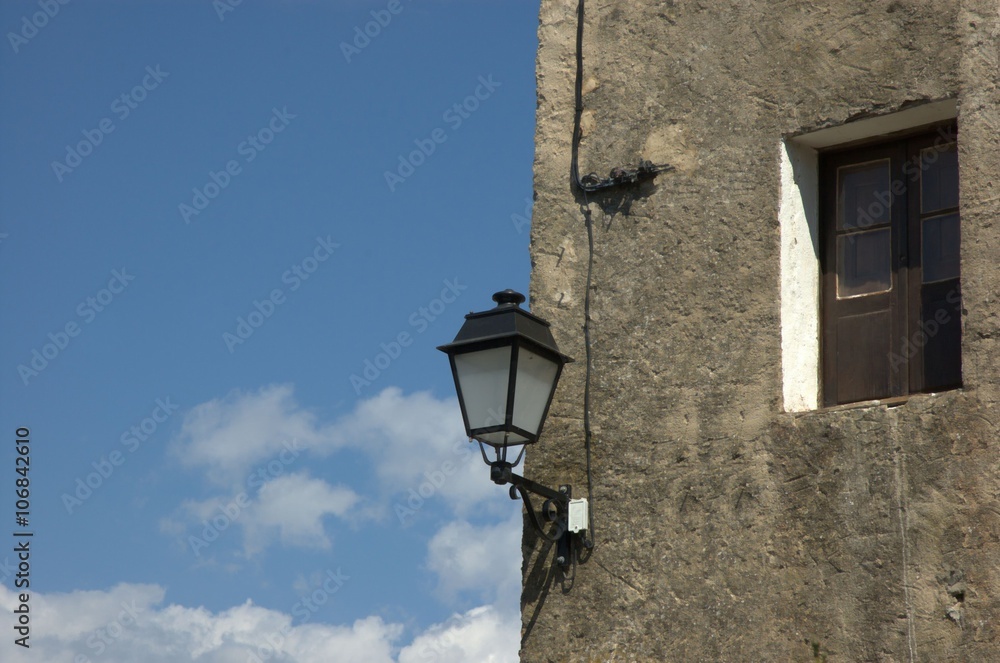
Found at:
[891, 300]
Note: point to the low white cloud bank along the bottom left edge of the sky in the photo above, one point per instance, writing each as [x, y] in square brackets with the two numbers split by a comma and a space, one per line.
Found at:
[128, 624]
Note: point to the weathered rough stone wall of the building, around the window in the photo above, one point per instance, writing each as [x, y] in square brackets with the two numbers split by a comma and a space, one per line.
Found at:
[727, 529]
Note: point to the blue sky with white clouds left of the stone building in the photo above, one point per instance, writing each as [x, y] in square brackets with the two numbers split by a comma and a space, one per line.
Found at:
[201, 253]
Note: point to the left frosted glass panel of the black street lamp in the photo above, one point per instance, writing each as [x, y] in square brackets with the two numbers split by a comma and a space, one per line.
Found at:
[483, 378]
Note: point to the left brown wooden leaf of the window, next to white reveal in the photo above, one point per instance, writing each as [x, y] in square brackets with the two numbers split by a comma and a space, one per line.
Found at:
[863, 292]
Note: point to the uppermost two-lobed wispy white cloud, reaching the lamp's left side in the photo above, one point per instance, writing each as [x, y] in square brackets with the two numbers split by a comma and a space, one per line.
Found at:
[414, 441]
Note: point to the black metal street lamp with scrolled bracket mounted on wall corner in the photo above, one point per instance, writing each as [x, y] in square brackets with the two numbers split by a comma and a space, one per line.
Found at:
[506, 366]
